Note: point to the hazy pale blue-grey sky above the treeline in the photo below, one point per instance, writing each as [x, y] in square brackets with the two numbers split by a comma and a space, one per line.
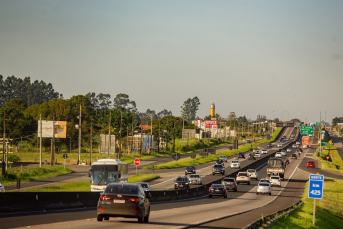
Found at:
[250, 57]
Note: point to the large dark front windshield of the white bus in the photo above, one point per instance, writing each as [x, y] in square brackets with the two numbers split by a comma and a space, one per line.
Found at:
[104, 174]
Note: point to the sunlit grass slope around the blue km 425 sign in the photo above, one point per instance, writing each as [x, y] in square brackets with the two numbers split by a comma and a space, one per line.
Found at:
[329, 210]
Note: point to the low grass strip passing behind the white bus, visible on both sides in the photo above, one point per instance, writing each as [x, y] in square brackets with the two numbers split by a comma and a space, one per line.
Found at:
[84, 186]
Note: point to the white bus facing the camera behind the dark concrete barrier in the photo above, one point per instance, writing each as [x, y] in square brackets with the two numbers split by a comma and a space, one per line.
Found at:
[105, 171]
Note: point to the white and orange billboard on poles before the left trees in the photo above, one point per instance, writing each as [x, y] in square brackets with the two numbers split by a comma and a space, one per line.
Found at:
[47, 129]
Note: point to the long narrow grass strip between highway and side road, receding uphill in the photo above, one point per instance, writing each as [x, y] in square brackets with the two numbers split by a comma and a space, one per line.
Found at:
[212, 157]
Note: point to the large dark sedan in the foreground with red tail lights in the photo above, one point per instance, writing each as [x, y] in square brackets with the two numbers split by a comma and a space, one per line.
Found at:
[123, 200]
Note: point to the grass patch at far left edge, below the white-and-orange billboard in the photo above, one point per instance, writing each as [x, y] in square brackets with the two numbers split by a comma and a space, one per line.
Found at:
[31, 174]
